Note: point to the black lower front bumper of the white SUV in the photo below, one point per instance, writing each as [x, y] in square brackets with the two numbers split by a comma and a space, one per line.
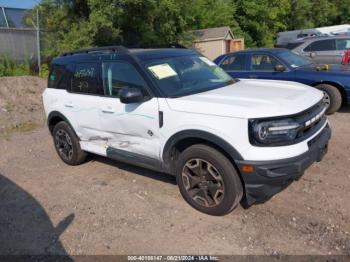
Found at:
[271, 177]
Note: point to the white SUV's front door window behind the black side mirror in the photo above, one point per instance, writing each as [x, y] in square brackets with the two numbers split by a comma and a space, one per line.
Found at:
[117, 75]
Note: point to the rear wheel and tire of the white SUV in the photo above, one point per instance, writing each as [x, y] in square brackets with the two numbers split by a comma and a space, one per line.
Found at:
[67, 144]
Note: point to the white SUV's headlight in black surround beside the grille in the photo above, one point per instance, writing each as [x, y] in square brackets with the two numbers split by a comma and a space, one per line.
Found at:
[273, 133]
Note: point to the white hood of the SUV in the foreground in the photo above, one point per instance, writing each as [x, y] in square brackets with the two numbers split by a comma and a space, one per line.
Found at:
[250, 99]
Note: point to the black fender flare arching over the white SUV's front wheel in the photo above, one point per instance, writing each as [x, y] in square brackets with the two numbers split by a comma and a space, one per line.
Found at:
[193, 133]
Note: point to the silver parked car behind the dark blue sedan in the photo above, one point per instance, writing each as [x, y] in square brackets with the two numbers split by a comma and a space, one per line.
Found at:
[326, 49]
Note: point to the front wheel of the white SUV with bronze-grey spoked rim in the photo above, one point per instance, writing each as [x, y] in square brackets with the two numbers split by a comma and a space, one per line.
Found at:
[218, 190]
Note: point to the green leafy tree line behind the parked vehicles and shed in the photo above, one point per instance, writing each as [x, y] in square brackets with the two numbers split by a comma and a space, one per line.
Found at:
[73, 24]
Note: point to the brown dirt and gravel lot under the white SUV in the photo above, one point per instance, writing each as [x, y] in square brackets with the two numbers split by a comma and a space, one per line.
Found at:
[104, 207]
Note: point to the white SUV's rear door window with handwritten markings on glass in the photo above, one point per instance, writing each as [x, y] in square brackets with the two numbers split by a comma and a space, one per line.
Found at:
[85, 79]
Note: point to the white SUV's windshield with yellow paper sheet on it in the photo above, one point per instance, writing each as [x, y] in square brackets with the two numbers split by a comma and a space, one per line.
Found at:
[186, 75]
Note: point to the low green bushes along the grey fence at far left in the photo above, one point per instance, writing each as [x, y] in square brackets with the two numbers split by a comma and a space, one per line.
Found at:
[9, 67]
